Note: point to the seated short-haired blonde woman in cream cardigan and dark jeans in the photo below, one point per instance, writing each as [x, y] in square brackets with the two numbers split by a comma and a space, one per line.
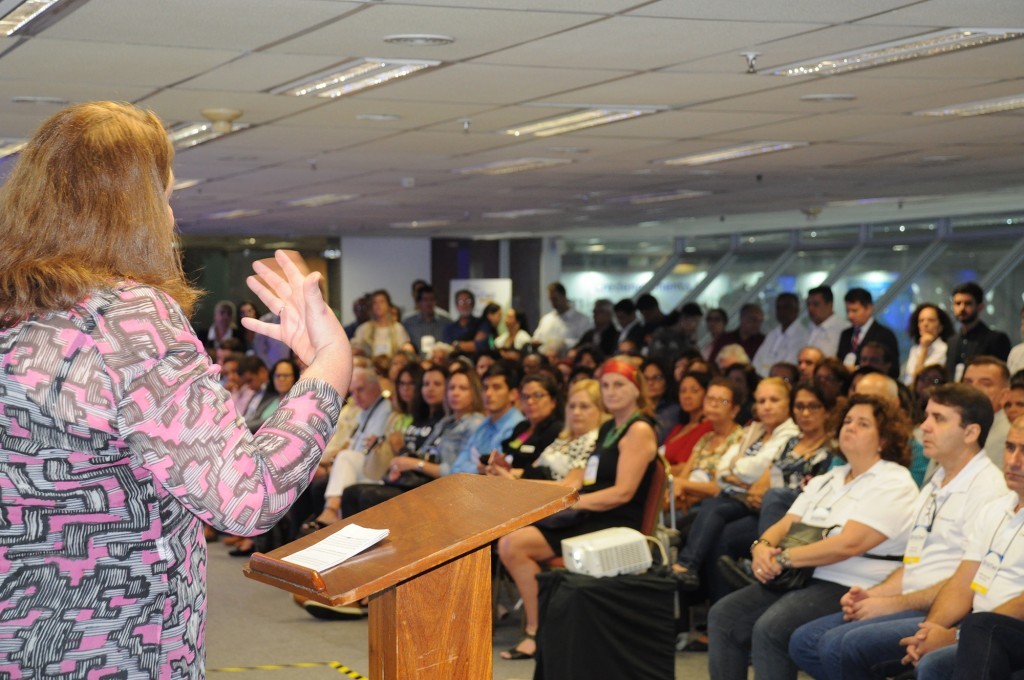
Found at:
[739, 474]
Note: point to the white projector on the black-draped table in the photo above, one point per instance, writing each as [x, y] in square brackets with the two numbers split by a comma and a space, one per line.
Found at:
[608, 554]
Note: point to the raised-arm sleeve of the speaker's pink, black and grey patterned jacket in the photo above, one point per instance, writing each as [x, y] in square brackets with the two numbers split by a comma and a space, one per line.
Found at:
[182, 427]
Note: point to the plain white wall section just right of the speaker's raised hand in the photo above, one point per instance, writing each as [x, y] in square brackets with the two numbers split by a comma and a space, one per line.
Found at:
[394, 265]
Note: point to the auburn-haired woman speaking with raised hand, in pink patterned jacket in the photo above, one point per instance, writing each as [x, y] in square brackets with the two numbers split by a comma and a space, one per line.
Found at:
[117, 441]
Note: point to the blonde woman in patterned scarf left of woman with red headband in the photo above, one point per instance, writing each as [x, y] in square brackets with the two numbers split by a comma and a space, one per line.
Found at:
[565, 459]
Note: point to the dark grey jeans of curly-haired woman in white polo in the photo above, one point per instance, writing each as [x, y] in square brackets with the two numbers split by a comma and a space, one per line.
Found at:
[754, 625]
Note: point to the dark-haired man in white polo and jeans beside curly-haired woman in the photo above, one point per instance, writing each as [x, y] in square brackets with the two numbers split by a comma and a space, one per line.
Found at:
[864, 641]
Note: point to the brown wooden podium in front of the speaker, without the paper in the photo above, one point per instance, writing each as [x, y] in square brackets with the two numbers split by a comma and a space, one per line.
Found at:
[430, 582]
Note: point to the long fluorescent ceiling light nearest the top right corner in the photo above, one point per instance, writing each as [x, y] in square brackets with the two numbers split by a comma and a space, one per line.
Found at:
[930, 45]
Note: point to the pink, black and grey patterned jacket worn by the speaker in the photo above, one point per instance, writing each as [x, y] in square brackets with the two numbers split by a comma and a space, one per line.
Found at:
[116, 443]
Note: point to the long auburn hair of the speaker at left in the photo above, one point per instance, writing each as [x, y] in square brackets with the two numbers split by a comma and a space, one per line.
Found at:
[84, 208]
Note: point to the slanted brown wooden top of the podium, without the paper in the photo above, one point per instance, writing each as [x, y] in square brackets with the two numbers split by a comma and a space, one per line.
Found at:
[430, 526]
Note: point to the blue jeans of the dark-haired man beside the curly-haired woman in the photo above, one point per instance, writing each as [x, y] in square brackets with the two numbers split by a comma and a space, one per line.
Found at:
[830, 649]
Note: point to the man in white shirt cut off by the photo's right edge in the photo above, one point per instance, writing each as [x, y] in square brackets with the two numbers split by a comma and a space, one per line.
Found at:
[991, 577]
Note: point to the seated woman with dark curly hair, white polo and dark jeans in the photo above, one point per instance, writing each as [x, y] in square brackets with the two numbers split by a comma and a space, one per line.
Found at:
[869, 504]
